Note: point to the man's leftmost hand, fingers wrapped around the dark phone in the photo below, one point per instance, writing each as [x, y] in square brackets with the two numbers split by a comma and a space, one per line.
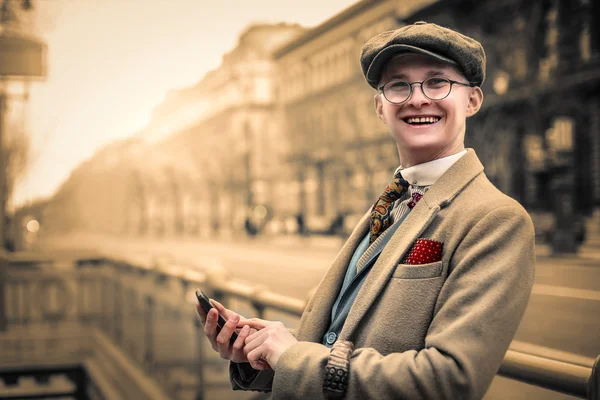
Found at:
[220, 342]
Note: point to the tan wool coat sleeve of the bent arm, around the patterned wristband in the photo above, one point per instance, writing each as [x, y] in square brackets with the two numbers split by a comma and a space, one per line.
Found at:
[476, 316]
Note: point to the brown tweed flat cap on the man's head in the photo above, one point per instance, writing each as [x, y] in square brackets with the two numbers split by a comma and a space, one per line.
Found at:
[424, 38]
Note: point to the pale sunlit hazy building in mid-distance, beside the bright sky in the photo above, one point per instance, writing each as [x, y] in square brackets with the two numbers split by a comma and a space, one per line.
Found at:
[235, 141]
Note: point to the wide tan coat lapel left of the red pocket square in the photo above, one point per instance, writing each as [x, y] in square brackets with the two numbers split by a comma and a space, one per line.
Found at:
[439, 195]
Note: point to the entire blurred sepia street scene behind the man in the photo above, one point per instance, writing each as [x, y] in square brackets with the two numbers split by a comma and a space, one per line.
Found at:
[153, 146]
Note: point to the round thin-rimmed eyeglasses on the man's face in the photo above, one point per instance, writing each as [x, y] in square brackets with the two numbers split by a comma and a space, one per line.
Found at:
[397, 92]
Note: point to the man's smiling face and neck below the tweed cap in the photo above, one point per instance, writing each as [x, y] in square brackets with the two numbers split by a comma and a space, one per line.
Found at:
[422, 142]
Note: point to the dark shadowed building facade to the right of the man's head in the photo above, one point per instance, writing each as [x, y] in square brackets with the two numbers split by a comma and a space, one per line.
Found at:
[538, 133]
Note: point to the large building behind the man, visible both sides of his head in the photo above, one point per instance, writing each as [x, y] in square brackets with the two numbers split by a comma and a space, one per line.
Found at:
[537, 134]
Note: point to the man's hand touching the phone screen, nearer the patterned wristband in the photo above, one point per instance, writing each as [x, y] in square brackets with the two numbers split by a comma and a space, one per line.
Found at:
[268, 343]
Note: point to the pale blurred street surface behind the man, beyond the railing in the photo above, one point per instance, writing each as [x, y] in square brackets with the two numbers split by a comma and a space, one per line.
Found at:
[563, 312]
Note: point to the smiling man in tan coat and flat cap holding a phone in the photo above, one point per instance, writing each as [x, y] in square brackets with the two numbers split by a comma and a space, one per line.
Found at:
[427, 293]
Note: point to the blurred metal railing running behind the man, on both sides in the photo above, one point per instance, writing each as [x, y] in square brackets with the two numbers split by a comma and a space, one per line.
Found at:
[139, 304]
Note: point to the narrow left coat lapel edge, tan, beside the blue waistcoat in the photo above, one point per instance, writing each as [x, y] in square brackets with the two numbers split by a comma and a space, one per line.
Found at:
[319, 309]
